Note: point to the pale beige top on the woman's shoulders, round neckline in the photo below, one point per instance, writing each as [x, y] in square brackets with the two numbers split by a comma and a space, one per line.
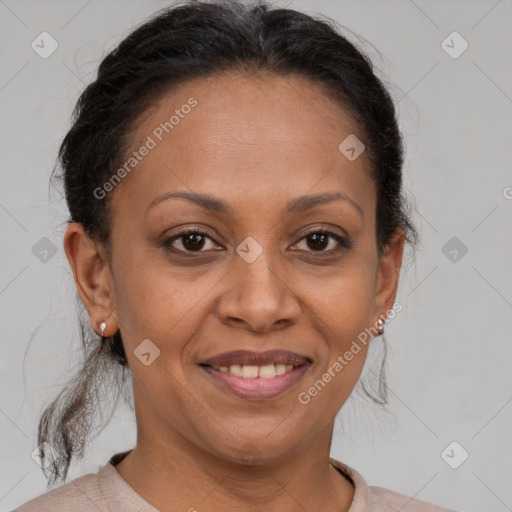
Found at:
[106, 491]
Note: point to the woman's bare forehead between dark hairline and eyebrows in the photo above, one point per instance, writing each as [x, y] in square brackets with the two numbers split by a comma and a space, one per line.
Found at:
[246, 134]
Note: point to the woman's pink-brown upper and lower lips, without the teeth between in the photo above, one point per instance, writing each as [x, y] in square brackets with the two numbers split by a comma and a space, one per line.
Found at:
[256, 388]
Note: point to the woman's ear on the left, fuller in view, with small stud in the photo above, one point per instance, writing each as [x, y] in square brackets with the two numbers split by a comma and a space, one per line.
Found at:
[91, 272]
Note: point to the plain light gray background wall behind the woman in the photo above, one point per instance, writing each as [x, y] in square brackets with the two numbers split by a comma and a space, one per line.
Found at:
[450, 348]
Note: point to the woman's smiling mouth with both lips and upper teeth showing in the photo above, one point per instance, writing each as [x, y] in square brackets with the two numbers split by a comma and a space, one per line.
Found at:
[255, 376]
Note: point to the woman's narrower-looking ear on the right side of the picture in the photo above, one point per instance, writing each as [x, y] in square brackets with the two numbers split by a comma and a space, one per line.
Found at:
[387, 275]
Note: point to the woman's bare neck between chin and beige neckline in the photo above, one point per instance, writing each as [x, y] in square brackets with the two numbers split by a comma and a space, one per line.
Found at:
[175, 475]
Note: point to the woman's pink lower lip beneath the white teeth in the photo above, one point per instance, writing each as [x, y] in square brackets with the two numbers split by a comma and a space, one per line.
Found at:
[256, 388]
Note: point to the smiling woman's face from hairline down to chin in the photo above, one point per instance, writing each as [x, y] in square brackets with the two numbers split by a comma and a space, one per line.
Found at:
[250, 157]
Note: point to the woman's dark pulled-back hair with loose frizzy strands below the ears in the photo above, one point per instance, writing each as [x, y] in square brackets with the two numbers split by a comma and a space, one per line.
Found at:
[188, 40]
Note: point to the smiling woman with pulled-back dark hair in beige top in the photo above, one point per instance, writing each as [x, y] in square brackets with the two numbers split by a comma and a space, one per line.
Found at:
[236, 235]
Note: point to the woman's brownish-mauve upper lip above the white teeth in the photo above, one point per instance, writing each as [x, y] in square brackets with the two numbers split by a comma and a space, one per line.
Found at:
[248, 357]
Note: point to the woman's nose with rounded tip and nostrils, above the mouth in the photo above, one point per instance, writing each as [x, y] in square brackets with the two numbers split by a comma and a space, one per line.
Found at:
[258, 296]
